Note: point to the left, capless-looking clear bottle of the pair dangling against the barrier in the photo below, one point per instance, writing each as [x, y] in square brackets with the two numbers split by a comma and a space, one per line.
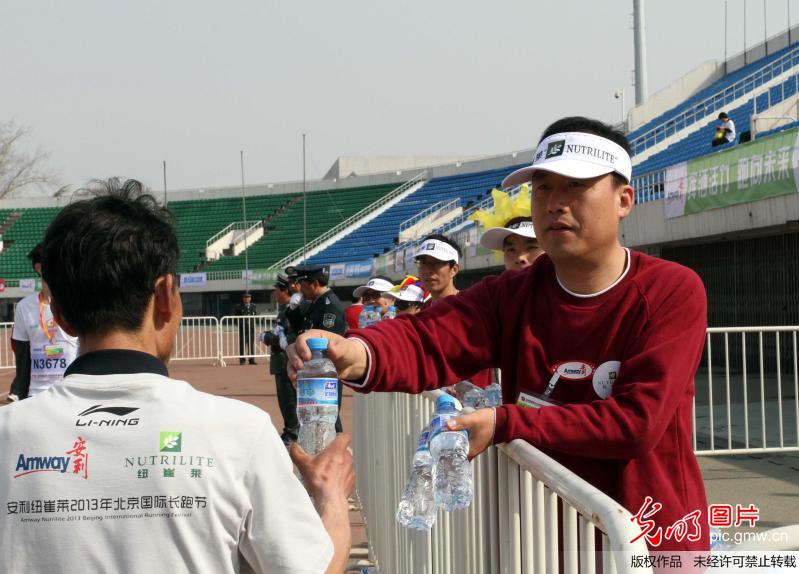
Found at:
[417, 509]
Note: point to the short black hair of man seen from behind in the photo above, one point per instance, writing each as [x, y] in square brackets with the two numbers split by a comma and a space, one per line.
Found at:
[102, 256]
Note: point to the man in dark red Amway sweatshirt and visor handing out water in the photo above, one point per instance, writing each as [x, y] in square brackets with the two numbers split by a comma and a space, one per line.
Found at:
[610, 336]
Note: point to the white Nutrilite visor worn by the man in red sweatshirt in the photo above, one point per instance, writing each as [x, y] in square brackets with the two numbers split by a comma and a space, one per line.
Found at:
[575, 154]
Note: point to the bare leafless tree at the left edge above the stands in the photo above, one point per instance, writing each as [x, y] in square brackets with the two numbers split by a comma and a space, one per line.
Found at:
[19, 169]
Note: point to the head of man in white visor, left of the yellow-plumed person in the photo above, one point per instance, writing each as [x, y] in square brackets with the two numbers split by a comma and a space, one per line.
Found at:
[438, 262]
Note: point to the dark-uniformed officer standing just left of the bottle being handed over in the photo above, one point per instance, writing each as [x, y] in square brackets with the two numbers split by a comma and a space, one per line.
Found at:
[277, 339]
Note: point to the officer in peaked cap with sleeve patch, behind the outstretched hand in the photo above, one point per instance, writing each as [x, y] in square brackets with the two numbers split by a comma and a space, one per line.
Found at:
[325, 311]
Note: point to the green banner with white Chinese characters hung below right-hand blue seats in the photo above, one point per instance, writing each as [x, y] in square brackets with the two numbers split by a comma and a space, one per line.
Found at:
[747, 172]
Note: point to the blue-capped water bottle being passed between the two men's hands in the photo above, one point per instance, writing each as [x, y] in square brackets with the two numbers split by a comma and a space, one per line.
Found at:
[317, 399]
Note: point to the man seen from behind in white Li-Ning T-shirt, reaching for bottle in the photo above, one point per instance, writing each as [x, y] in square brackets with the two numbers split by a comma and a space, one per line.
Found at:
[119, 468]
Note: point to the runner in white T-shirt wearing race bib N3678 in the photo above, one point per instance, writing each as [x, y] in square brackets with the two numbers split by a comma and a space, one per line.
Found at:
[42, 348]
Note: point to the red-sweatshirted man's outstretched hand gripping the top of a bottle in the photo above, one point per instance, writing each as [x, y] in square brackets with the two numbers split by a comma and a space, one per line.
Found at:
[347, 355]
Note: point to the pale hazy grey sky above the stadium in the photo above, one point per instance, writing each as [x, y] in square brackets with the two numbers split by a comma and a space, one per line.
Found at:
[113, 88]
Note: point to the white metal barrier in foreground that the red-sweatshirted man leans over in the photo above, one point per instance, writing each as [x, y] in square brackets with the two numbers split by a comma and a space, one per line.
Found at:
[513, 523]
